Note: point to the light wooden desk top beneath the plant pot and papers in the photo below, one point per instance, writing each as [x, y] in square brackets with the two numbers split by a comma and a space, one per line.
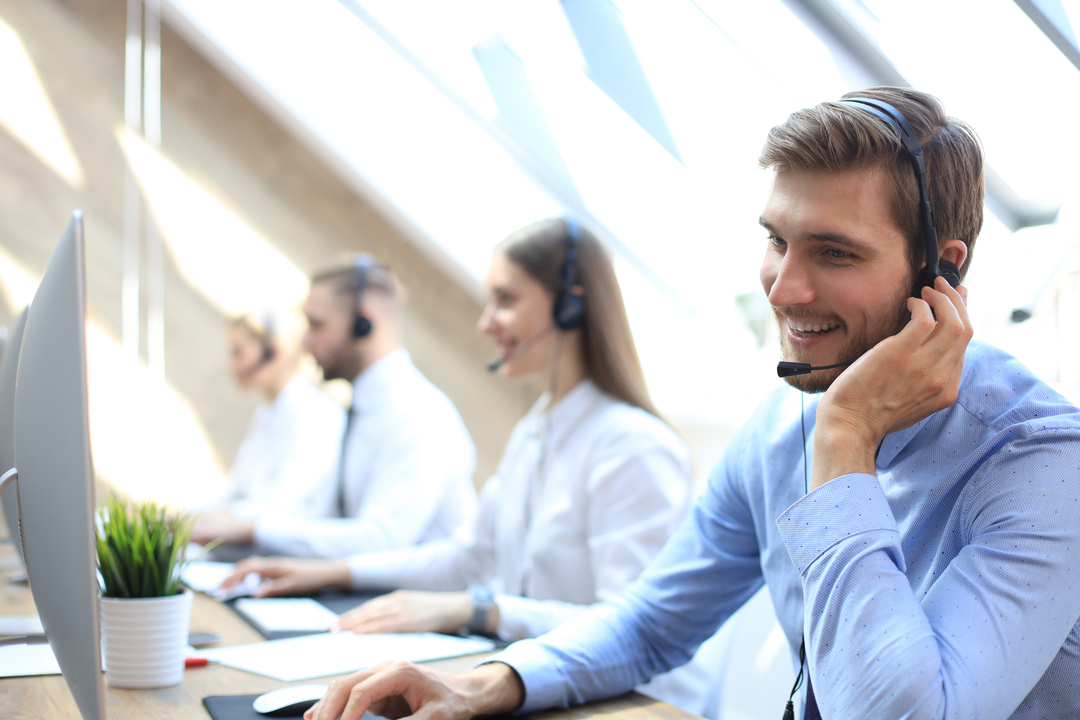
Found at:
[48, 697]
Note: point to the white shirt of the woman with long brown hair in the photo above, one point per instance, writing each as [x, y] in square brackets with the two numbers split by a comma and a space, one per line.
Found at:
[584, 499]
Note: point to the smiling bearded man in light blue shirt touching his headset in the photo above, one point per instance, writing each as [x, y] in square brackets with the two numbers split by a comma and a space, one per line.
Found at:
[916, 519]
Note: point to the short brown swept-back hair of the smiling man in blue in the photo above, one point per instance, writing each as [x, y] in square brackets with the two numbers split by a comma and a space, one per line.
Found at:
[843, 137]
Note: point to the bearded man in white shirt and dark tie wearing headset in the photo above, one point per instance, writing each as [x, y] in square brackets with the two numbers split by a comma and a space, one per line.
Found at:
[406, 471]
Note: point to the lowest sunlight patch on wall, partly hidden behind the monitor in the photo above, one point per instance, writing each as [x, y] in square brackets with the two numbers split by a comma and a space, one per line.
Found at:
[146, 440]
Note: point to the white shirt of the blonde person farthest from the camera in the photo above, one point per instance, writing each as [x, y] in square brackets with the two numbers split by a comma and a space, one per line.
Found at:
[290, 452]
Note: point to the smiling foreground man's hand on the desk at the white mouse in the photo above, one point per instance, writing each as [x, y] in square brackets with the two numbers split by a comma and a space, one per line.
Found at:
[399, 689]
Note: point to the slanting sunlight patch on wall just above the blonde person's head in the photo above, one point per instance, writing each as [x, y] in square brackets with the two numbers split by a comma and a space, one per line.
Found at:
[226, 262]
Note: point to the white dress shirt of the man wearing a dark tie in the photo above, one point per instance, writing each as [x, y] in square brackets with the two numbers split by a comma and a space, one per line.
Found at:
[409, 466]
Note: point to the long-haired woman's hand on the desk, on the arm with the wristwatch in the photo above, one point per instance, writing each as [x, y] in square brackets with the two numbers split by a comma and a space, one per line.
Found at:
[414, 612]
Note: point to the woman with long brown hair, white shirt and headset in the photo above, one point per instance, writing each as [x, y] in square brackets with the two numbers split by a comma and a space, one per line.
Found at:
[590, 487]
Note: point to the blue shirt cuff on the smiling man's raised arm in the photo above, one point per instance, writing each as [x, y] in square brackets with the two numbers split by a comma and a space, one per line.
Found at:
[843, 508]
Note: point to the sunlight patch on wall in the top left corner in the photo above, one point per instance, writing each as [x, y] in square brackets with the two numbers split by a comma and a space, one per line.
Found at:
[29, 115]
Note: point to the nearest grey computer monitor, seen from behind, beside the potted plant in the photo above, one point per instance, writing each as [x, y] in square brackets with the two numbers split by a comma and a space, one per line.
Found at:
[56, 476]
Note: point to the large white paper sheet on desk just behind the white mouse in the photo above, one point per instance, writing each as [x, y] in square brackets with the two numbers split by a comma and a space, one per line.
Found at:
[335, 654]
